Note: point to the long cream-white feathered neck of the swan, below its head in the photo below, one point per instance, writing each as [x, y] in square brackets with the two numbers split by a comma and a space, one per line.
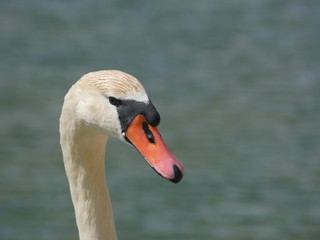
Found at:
[83, 153]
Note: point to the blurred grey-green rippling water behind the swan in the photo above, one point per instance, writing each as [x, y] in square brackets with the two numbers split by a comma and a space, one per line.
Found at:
[237, 85]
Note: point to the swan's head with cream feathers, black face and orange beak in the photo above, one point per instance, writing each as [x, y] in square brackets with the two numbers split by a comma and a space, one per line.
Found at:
[115, 104]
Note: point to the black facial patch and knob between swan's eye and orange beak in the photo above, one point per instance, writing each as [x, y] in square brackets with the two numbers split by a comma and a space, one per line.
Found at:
[129, 109]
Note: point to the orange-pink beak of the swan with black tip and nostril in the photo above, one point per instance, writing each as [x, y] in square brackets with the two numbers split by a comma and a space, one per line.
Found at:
[148, 141]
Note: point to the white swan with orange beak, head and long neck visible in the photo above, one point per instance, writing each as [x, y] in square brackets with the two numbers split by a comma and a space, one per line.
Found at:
[102, 104]
